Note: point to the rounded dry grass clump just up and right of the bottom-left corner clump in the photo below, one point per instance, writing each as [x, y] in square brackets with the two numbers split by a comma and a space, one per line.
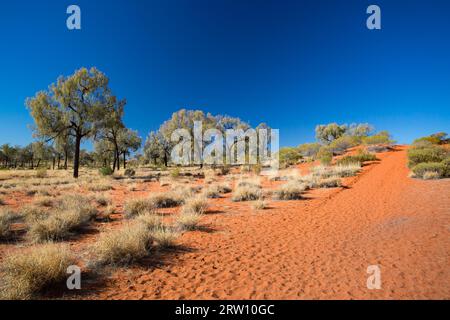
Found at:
[123, 246]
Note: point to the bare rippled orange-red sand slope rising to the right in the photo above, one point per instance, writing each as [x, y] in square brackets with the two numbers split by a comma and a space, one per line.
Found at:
[317, 248]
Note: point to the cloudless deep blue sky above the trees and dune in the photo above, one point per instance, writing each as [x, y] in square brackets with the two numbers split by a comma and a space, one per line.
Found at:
[292, 64]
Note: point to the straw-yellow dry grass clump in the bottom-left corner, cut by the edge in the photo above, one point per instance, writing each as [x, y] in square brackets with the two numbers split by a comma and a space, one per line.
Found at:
[25, 274]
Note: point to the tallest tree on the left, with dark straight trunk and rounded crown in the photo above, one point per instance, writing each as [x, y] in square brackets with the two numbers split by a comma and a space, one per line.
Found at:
[72, 106]
